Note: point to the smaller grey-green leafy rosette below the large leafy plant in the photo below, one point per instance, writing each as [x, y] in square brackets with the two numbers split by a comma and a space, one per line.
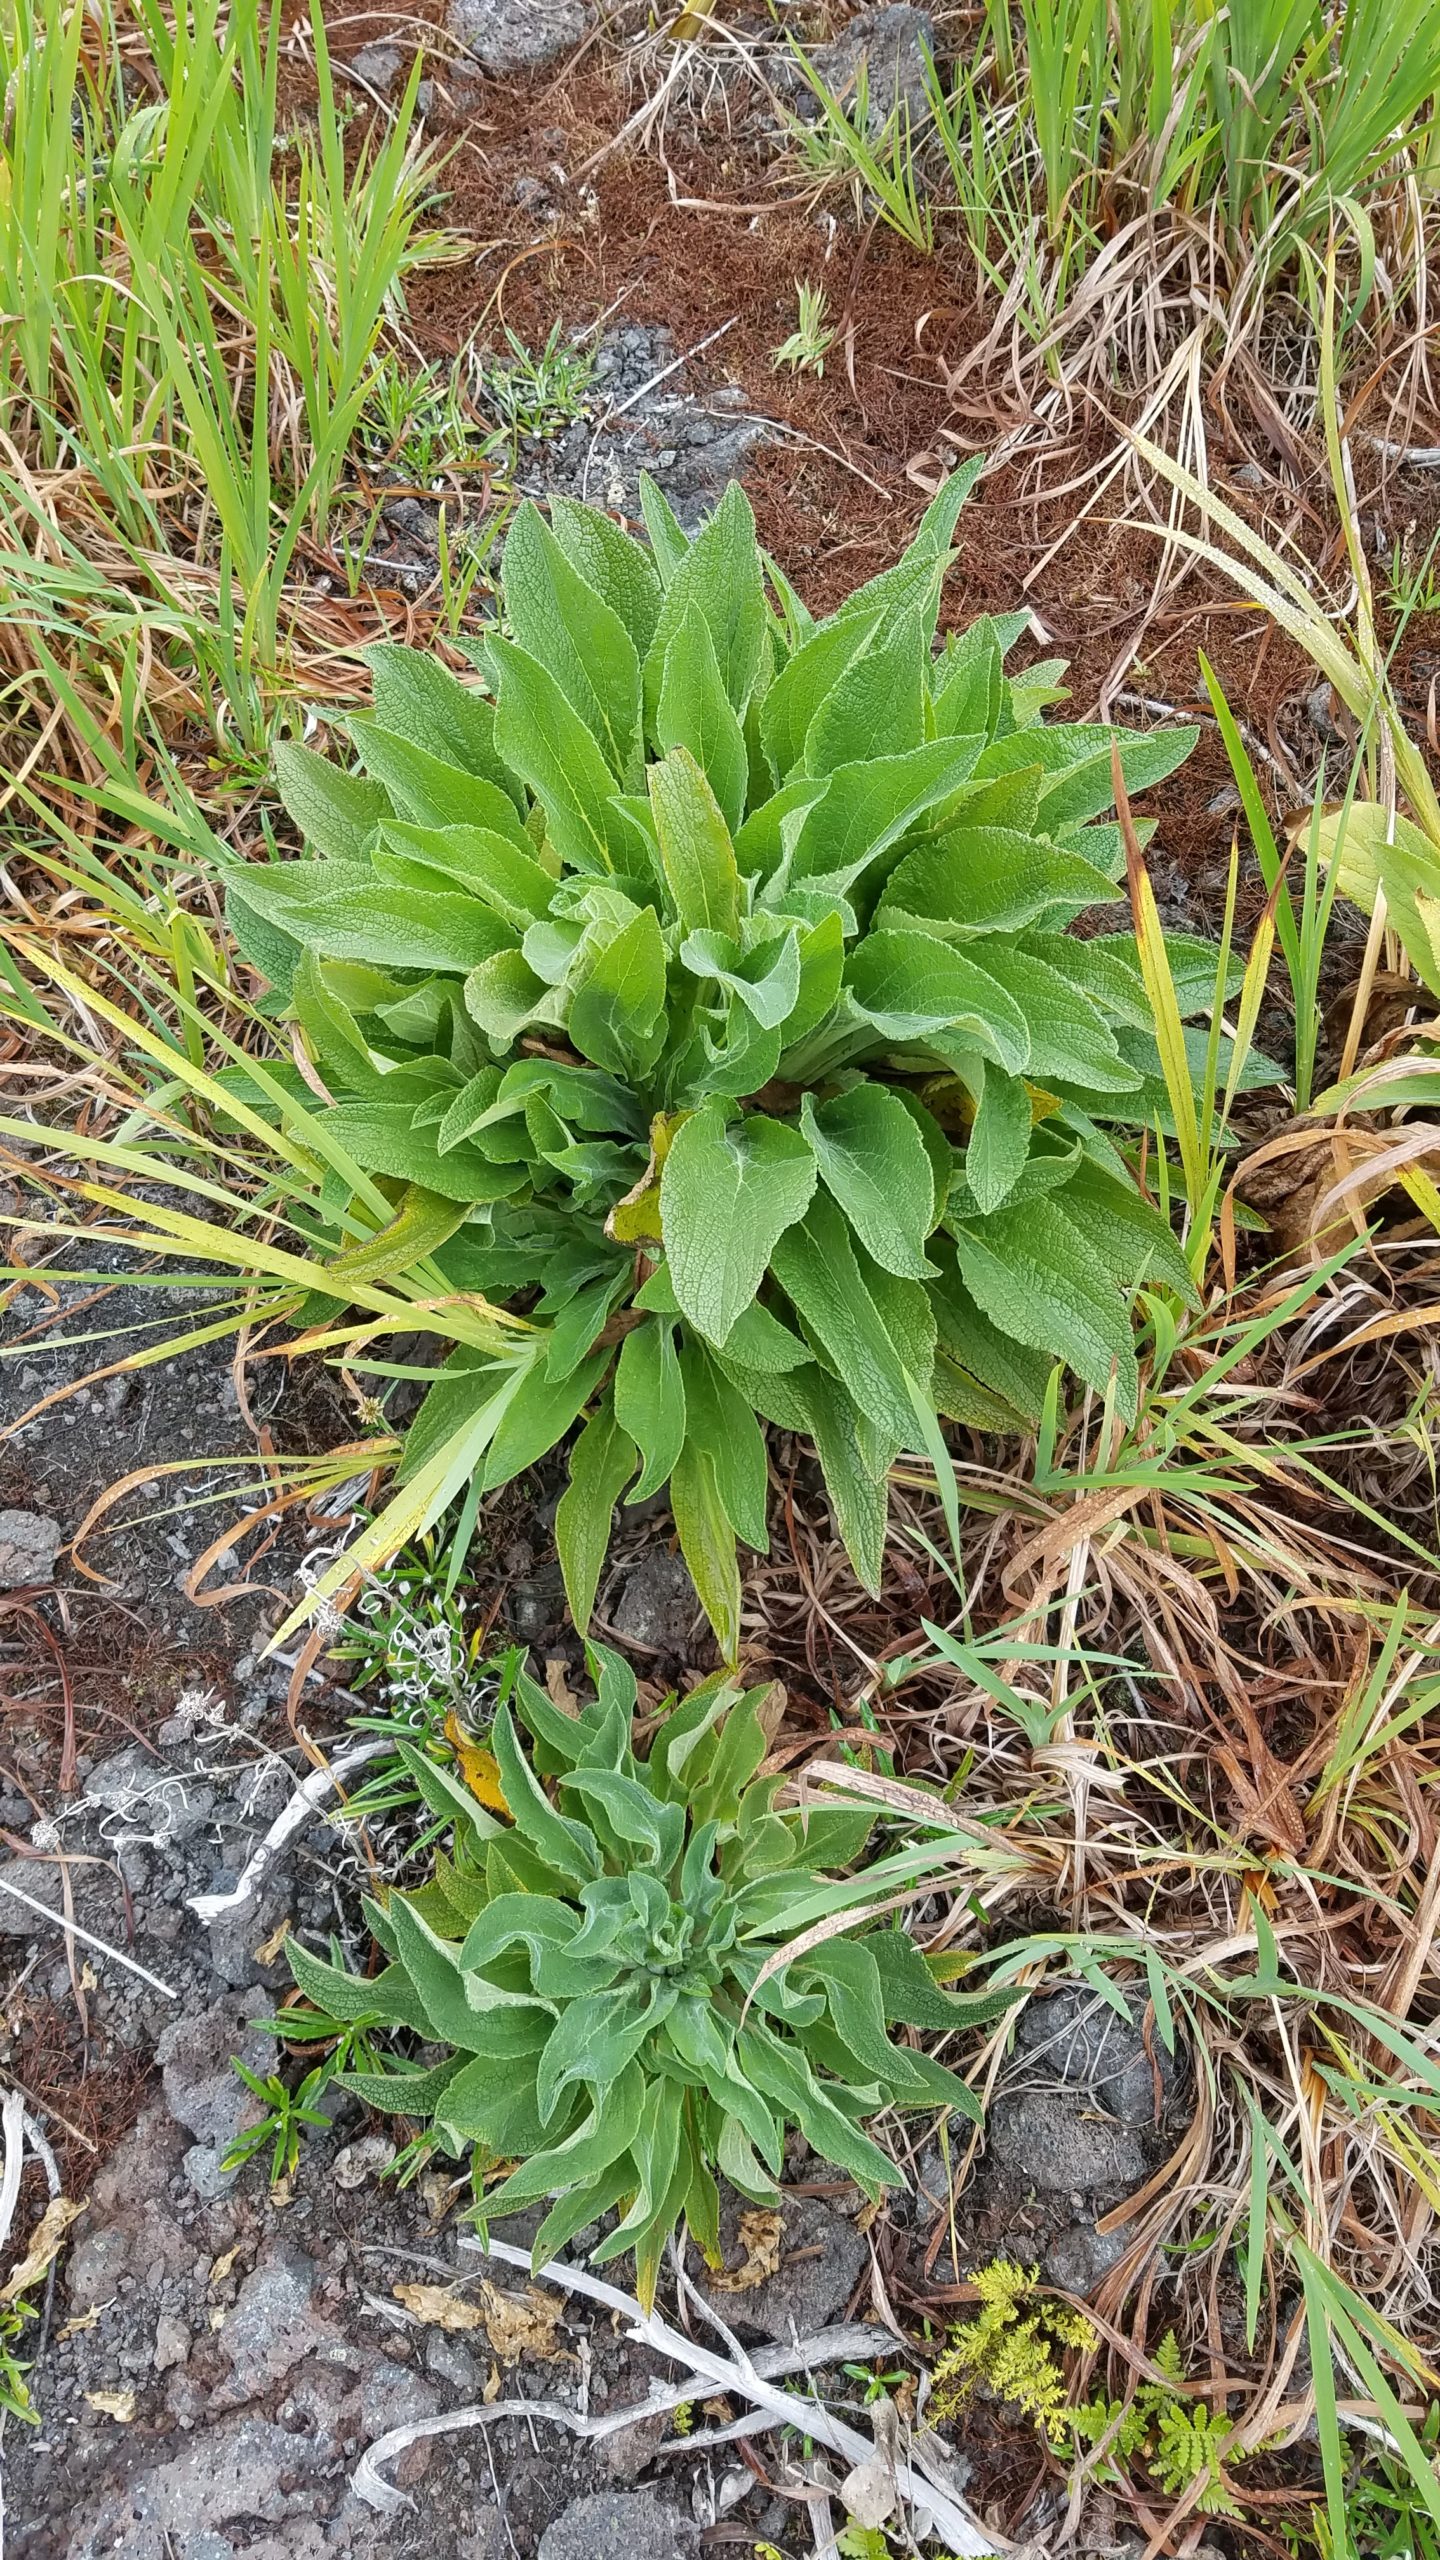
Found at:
[647, 1975]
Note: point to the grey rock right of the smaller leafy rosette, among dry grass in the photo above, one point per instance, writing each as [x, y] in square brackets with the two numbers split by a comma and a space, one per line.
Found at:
[1088, 2106]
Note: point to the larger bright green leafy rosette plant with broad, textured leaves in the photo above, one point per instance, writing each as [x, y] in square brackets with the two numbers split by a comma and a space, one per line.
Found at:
[698, 987]
